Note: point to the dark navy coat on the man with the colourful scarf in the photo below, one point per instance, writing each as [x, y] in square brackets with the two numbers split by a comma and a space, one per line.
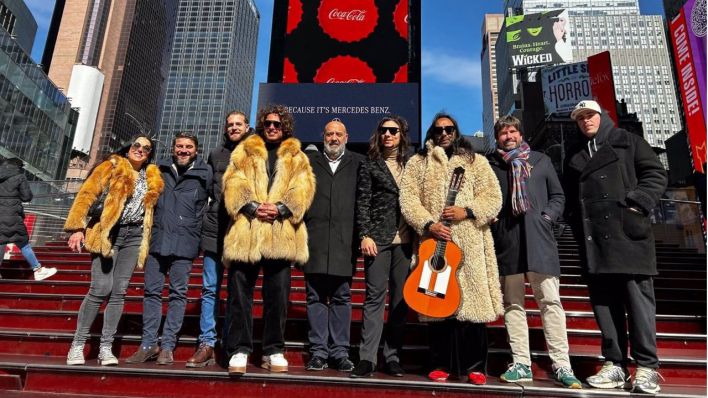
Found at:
[526, 243]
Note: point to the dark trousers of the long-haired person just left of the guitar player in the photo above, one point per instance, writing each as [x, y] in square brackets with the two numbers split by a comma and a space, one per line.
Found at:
[388, 269]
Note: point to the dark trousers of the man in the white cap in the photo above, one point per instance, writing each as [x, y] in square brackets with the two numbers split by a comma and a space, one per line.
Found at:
[613, 294]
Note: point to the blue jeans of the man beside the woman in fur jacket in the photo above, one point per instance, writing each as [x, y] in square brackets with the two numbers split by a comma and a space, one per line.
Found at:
[157, 267]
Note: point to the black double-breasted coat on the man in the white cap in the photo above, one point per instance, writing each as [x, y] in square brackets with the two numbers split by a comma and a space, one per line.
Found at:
[623, 173]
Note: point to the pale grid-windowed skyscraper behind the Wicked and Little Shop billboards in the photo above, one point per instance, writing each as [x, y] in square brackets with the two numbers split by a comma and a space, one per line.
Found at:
[641, 65]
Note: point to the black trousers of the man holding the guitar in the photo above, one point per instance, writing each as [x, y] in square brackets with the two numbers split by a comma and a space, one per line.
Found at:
[458, 347]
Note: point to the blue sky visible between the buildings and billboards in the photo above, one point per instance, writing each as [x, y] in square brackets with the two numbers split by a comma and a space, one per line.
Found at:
[450, 45]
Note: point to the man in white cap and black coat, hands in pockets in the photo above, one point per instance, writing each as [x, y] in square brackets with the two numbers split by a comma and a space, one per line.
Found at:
[614, 179]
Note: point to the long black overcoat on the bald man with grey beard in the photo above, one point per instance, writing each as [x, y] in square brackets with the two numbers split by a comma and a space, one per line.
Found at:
[332, 238]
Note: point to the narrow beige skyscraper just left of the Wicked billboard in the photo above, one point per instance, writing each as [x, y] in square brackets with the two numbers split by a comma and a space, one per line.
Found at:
[490, 107]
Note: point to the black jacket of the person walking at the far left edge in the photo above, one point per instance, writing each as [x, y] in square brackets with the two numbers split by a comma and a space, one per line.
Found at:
[14, 190]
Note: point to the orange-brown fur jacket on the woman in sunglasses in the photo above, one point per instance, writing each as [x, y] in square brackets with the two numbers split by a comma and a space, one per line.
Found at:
[117, 174]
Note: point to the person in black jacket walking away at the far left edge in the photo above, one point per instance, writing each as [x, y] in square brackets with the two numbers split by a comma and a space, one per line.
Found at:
[14, 190]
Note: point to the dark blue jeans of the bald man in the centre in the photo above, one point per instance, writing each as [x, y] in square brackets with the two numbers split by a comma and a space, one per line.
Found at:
[329, 312]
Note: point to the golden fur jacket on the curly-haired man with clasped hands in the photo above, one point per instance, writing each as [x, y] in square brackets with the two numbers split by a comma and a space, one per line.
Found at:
[246, 180]
